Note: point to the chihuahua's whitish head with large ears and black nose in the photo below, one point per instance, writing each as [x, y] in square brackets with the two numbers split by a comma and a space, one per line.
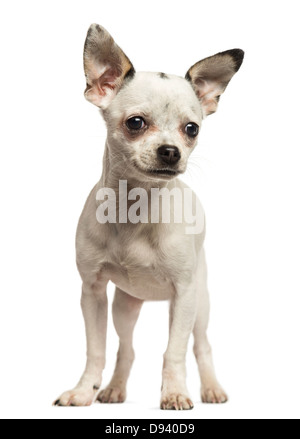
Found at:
[153, 119]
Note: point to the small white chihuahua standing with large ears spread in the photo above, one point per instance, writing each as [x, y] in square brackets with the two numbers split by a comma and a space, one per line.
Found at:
[153, 121]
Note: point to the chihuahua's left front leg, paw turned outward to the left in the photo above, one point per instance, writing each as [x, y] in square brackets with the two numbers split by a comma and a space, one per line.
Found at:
[94, 308]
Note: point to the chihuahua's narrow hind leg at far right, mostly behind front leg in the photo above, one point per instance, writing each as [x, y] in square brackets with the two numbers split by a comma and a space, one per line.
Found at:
[211, 391]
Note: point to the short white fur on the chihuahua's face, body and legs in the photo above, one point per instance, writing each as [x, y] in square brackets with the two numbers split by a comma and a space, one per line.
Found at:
[144, 261]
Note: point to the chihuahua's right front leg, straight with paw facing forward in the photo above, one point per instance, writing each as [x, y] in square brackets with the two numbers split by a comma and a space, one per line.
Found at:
[182, 319]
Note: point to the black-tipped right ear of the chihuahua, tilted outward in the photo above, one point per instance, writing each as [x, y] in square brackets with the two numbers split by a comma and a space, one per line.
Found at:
[211, 76]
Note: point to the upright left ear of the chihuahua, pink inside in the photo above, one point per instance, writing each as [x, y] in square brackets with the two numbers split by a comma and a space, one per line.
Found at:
[105, 65]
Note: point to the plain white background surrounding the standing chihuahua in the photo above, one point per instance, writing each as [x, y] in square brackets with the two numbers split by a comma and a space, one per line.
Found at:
[245, 170]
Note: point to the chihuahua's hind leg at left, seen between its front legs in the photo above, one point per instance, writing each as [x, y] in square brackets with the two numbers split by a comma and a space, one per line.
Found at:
[126, 310]
